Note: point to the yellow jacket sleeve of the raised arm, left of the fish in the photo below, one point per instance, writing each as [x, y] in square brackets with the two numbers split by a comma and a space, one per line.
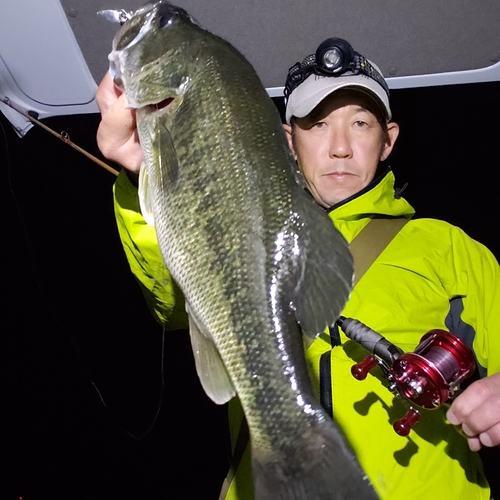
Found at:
[163, 296]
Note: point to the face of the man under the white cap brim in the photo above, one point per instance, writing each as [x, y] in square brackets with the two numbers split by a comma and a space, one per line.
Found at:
[339, 145]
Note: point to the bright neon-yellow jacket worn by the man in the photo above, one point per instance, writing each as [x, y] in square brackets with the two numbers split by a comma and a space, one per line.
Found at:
[432, 275]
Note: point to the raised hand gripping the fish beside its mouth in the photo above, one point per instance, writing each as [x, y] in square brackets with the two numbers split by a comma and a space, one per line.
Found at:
[117, 133]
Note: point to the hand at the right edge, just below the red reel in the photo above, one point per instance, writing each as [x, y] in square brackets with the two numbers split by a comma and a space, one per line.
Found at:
[477, 411]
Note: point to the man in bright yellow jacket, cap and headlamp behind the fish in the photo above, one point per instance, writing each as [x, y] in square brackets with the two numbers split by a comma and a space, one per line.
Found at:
[431, 275]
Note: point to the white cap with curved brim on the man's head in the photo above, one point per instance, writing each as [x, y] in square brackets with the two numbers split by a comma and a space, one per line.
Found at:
[315, 88]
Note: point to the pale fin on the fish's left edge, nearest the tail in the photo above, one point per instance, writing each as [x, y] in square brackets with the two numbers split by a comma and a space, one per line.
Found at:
[209, 365]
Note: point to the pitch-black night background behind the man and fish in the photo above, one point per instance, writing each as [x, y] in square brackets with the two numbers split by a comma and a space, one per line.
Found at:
[81, 357]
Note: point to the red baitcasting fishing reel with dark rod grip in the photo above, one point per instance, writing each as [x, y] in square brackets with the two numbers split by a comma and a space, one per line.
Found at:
[427, 378]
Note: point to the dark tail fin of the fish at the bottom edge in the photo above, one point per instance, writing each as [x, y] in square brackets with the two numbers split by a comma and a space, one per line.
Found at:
[320, 469]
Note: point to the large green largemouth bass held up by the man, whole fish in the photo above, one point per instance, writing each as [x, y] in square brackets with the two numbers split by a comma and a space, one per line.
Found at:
[258, 261]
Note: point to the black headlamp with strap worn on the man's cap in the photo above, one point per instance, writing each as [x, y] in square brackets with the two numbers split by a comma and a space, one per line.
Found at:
[334, 57]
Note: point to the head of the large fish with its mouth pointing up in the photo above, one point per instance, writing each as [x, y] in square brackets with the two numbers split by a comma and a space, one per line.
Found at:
[150, 53]
